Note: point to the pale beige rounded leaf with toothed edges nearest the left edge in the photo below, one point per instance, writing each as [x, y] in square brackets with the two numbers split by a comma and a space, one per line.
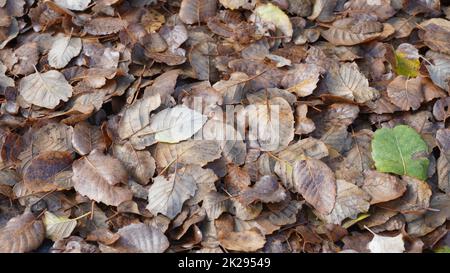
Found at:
[45, 89]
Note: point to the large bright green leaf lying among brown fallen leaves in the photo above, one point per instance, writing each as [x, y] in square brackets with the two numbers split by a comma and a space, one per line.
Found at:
[400, 150]
